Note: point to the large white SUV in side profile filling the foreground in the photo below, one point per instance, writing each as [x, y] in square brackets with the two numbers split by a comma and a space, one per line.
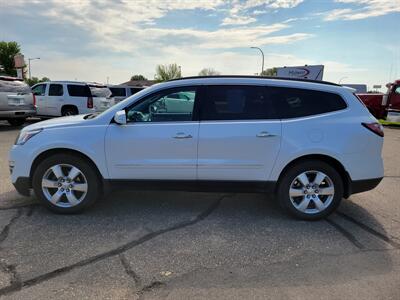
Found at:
[309, 143]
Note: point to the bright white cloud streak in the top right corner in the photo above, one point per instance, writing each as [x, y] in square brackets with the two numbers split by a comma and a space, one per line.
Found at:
[368, 9]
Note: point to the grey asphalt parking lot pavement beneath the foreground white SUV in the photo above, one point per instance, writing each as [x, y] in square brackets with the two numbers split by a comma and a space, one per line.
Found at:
[180, 245]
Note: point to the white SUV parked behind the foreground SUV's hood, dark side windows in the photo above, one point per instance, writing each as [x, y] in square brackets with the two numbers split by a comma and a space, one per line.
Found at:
[63, 98]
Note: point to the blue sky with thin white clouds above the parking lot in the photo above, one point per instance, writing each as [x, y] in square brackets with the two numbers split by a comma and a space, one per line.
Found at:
[356, 40]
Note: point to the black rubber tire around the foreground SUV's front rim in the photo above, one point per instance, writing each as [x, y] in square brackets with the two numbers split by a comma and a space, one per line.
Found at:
[94, 187]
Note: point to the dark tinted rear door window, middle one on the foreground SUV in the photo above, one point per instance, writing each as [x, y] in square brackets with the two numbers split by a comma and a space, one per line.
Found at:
[236, 103]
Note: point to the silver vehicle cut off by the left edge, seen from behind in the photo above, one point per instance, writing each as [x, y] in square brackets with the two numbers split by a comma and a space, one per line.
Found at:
[16, 101]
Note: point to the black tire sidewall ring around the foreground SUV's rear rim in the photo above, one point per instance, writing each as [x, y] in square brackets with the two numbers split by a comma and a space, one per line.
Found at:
[293, 172]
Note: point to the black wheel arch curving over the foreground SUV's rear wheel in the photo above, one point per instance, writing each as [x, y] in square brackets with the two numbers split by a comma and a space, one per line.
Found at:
[327, 159]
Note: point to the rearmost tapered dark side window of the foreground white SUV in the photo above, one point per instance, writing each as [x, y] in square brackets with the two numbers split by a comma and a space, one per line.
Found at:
[295, 103]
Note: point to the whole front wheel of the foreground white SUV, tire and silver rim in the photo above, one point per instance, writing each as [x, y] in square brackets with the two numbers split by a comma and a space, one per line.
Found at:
[66, 183]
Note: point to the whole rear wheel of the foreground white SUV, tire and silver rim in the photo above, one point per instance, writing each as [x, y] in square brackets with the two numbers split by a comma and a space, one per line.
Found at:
[310, 190]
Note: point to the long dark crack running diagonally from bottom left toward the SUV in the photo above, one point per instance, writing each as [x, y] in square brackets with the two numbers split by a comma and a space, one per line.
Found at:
[116, 251]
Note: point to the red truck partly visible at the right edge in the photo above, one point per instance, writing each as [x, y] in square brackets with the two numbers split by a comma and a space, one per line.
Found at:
[380, 104]
